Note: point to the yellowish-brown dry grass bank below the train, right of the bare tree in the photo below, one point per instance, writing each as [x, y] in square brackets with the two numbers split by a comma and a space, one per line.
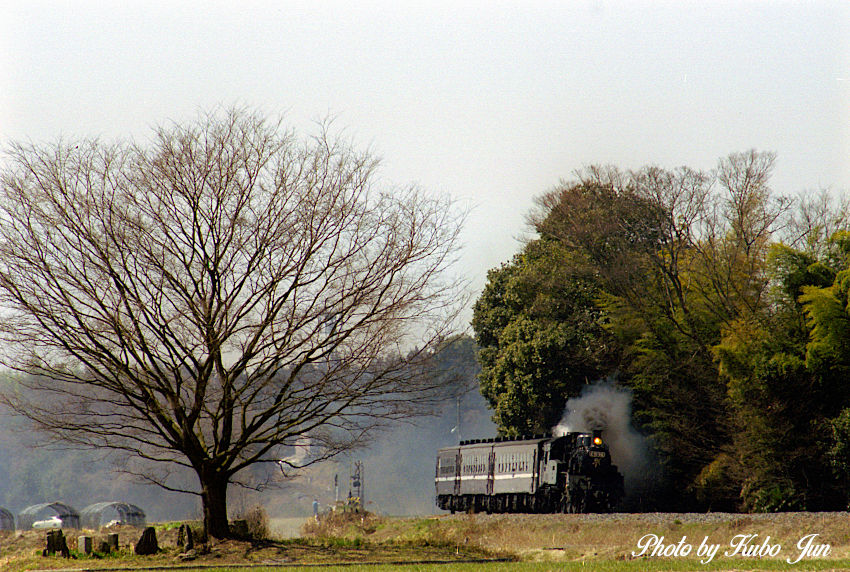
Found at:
[615, 537]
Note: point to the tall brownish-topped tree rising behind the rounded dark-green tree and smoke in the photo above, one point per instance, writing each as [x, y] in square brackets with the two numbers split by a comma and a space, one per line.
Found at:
[637, 232]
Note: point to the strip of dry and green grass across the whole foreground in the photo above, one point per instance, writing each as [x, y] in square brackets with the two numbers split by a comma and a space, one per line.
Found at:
[533, 543]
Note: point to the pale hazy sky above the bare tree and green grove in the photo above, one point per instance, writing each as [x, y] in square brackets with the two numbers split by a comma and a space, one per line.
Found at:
[491, 102]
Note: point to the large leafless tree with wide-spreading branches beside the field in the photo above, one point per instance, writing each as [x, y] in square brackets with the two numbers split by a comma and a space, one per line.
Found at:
[208, 299]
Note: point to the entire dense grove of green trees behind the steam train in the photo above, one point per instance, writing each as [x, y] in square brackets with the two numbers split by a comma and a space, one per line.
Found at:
[721, 304]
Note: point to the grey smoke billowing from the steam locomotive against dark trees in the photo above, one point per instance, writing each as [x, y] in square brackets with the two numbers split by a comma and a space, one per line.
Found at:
[608, 406]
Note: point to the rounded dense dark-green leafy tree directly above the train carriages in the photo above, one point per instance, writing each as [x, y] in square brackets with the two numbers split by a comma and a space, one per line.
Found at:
[541, 336]
